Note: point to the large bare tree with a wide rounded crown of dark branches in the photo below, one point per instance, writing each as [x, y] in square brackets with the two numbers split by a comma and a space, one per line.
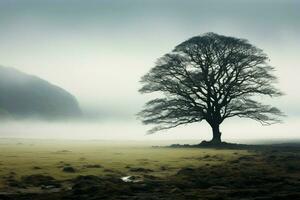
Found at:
[209, 77]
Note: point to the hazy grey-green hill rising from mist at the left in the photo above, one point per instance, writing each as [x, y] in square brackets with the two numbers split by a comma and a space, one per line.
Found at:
[23, 96]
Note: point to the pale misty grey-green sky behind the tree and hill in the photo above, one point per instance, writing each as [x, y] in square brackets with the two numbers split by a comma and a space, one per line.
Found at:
[98, 50]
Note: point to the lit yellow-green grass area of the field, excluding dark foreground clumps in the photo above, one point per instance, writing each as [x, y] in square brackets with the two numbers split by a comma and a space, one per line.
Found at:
[50, 156]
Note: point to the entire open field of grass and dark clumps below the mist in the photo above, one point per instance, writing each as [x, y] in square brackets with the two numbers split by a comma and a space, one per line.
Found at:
[33, 169]
